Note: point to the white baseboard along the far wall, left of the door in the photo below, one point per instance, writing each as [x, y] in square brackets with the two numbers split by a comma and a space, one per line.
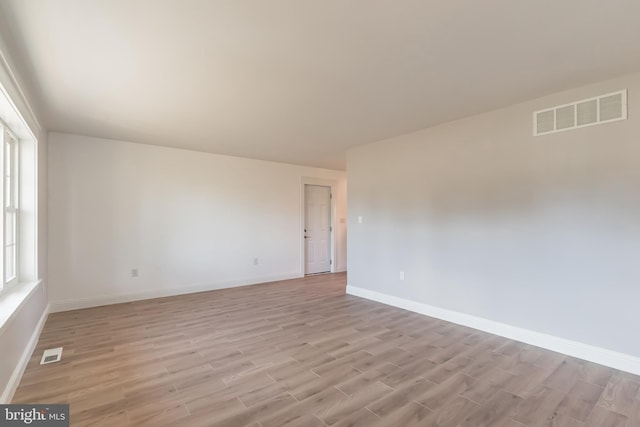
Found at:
[97, 301]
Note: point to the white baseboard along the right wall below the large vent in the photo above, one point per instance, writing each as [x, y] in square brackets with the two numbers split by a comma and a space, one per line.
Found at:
[602, 356]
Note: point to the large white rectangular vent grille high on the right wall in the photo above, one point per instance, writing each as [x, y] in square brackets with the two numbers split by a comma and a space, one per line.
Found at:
[601, 109]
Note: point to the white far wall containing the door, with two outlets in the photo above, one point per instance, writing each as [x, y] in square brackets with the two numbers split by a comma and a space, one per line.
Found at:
[186, 220]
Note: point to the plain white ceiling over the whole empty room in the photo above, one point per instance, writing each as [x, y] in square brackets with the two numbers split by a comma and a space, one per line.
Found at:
[300, 81]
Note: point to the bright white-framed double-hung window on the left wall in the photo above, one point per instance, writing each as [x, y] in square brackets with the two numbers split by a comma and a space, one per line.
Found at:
[11, 207]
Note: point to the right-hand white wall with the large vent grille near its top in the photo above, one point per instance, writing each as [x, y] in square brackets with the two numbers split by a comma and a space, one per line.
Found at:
[539, 233]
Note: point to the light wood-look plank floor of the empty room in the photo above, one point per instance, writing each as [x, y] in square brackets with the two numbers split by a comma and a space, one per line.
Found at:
[302, 353]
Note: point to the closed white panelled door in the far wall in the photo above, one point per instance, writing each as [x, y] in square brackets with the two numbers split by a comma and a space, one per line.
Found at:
[317, 229]
